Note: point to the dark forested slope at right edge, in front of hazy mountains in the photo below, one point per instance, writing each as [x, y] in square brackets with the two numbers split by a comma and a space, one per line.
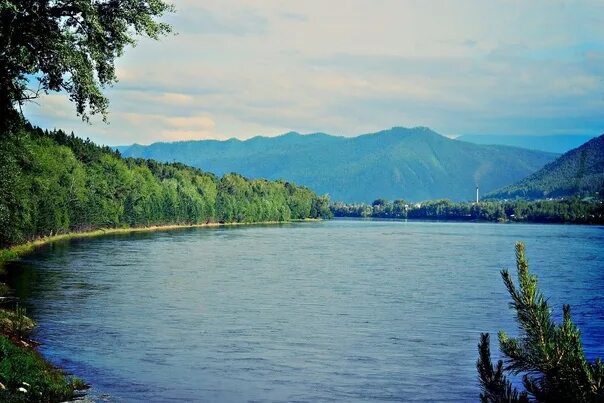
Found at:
[579, 172]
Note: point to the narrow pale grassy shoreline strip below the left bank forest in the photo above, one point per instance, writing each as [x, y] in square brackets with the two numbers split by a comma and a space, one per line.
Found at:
[16, 251]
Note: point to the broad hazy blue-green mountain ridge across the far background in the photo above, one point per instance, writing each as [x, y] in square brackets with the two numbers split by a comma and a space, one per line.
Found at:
[400, 163]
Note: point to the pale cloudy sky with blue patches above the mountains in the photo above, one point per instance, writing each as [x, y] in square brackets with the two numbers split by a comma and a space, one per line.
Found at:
[238, 68]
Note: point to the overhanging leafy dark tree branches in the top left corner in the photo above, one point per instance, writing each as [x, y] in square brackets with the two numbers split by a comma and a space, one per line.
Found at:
[68, 45]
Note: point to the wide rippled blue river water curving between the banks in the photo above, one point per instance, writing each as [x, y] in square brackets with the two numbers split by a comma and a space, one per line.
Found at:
[339, 310]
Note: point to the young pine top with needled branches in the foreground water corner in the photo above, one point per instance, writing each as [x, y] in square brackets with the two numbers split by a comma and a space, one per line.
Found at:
[549, 356]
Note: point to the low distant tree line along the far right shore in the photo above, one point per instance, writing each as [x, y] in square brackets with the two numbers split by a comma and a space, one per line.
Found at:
[570, 210]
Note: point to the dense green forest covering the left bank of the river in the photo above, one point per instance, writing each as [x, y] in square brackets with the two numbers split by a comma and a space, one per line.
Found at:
[52, 183]
